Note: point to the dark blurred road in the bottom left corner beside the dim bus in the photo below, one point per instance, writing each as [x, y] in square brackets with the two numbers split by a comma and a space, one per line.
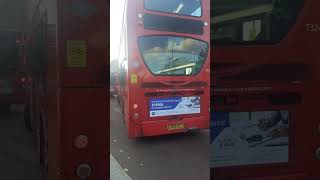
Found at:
[18, 156]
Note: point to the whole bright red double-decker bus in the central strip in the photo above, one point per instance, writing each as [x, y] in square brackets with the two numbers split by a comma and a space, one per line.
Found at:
[165, 69]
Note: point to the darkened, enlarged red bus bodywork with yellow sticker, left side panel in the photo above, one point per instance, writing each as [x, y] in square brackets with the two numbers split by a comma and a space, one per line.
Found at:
[67, 95]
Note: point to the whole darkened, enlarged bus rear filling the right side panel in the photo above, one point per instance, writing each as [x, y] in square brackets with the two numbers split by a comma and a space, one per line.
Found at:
[264, 90]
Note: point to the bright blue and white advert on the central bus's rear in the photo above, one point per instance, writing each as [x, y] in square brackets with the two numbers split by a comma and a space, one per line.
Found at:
[174, 106]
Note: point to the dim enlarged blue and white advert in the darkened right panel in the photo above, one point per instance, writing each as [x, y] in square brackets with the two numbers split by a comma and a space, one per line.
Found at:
[249, 138]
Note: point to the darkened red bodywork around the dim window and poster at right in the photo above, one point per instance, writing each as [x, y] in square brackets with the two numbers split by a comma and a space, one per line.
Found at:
[268, 77]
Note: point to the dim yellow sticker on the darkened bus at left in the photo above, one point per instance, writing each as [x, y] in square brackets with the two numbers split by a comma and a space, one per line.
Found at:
[77, 55]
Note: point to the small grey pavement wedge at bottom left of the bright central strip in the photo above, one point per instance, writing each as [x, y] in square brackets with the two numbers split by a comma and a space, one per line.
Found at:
[116, 171]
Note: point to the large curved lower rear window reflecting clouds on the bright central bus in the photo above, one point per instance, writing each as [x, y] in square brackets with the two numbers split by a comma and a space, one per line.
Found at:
[173, 56]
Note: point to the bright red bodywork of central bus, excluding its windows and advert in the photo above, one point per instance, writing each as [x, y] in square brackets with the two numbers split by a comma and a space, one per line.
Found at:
[140, 85]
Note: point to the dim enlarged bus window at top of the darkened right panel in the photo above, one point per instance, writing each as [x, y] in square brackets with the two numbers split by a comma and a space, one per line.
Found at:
[252, 21]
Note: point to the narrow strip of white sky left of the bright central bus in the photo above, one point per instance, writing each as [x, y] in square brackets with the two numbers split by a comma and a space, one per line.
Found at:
[116, 13]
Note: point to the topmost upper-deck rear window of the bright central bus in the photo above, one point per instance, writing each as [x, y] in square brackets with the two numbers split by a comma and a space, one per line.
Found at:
[181, 7]
